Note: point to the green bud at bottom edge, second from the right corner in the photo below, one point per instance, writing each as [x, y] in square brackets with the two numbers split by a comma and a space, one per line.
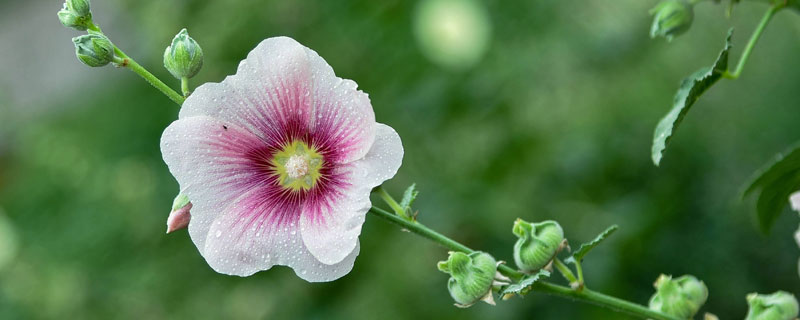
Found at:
[681, 297]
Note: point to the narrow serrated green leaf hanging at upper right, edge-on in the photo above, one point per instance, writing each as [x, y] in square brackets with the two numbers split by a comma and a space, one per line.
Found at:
[690, 90]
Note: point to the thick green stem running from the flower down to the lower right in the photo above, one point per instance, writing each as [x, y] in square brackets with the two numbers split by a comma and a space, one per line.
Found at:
[584, 295]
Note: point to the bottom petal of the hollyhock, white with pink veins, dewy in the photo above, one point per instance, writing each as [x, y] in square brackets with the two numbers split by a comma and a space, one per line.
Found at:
[242, 241]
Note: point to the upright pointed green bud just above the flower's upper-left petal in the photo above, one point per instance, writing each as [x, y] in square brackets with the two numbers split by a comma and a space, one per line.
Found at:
[183, 58]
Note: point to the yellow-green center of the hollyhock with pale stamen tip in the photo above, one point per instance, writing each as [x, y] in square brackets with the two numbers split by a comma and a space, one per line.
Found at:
[298, 166]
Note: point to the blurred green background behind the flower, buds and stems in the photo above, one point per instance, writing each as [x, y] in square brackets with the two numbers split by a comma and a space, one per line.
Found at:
[543, 110]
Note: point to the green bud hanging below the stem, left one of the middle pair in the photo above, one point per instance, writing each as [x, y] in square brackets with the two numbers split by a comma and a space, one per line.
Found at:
[471, 277]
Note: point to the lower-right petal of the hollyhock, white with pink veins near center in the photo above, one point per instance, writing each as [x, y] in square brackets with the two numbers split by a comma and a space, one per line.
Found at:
[331, 226]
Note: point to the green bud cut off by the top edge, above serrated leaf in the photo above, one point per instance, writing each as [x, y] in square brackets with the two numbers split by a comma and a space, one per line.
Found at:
[671, 18]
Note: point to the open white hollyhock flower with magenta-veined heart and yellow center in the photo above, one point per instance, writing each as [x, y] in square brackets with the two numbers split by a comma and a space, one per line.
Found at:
[279, 161]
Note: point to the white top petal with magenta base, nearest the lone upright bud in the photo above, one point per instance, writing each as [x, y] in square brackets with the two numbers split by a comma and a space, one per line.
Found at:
[267, 95]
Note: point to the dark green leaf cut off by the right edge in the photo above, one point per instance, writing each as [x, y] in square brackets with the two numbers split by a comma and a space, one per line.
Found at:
[777, 180]
